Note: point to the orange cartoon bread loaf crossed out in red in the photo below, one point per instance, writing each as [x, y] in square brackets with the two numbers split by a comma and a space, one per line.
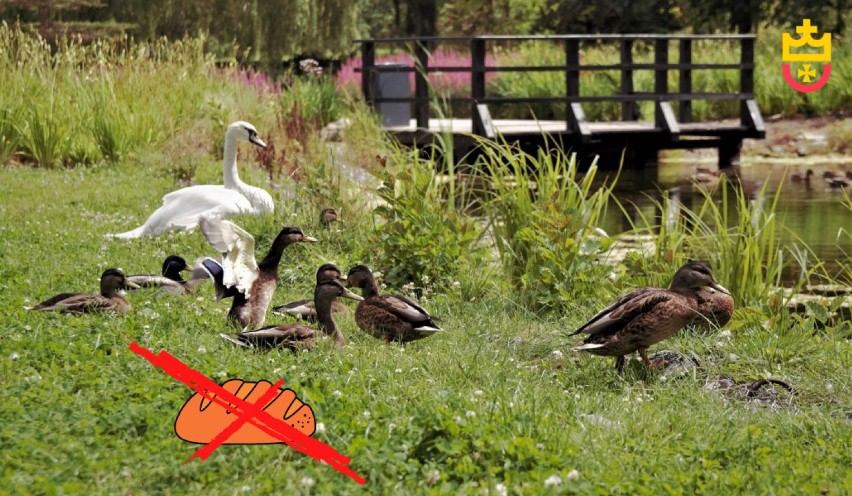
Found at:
[201, 419]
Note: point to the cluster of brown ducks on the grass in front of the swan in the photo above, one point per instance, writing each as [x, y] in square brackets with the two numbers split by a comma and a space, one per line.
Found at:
[251, 285]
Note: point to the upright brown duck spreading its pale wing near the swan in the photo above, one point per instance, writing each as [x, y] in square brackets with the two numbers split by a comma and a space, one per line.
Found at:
[255, 282]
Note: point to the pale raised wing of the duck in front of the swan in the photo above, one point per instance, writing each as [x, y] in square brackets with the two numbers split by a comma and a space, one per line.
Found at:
[237, 247]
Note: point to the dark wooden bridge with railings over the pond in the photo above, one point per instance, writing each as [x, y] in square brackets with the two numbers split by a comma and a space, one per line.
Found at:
[672, 125]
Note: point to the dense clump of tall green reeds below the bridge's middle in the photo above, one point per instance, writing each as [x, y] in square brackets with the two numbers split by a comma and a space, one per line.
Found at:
[544, 215]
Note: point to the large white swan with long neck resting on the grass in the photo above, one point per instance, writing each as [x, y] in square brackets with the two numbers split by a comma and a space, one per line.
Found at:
[182, 208]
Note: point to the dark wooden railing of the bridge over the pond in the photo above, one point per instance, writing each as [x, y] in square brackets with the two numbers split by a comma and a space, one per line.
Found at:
[573, 97]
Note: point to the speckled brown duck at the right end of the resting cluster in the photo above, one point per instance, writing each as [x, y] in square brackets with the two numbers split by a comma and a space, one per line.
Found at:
[388, 317]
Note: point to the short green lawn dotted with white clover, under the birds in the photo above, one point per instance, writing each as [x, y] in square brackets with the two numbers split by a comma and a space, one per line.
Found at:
[495, 405]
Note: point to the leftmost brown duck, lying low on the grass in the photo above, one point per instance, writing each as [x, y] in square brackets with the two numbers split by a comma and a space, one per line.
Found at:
[108, 301]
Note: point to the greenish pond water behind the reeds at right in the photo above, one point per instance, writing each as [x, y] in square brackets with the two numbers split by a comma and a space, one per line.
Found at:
[811, 211]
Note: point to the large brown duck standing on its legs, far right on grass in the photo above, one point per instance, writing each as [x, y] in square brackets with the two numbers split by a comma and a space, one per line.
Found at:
[646, 316]
